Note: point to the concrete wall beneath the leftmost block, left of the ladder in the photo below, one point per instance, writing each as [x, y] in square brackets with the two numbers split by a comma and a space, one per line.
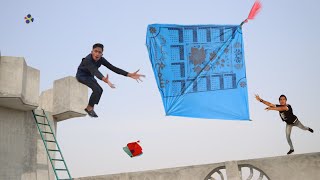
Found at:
[22, 152]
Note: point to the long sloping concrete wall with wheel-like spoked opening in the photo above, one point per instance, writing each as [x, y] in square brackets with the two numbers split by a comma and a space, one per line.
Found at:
[292, 167]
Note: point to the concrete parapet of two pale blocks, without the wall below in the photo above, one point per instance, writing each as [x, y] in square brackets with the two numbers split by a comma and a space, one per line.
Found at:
[19, 89]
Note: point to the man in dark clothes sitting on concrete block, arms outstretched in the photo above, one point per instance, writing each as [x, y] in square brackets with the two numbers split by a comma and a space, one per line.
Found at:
[88, 68]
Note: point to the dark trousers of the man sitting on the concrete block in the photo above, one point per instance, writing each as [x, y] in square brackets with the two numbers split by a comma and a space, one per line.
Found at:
[92, 83]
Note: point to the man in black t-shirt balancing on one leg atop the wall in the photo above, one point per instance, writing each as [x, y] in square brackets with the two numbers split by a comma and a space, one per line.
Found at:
[286, 114]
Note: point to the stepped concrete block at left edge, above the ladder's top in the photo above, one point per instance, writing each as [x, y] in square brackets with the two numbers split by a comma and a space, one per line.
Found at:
[19, 84]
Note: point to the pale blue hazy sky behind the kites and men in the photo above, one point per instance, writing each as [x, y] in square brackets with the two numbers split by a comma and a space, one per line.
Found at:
[281, 52]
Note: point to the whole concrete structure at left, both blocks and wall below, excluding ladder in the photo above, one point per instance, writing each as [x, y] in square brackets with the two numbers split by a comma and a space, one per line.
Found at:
[22, 153]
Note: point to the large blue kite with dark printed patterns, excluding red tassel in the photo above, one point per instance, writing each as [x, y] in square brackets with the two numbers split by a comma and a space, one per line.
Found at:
[200, 70]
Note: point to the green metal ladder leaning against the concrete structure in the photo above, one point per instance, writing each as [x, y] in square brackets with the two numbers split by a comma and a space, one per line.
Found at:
[50, 132]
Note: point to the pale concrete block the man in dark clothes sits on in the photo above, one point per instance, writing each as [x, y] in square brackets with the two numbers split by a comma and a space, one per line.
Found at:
[69, 98]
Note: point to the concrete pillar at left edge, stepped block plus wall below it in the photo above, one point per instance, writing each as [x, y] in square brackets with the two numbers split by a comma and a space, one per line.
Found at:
[22, 153]
